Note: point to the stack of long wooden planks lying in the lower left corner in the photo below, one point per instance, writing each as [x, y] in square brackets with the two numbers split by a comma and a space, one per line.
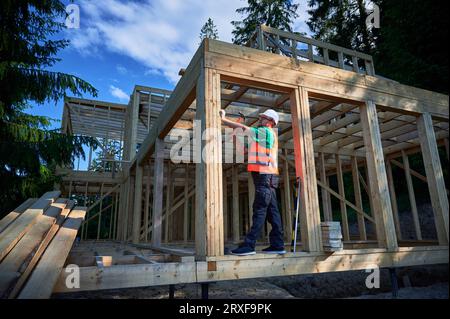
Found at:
[35, 240]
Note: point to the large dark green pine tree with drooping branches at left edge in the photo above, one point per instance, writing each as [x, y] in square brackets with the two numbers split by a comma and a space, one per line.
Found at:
[29, 150]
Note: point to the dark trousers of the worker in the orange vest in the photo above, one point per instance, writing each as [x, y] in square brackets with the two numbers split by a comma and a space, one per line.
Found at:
[265, 204]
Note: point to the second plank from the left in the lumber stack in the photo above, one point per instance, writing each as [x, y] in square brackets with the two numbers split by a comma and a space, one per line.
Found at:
[11, 235]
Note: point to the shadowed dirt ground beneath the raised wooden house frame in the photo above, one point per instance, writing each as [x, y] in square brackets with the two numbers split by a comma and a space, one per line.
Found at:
[414, 282]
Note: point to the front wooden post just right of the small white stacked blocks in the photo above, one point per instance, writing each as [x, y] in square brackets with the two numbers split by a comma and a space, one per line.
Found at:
[377, 178]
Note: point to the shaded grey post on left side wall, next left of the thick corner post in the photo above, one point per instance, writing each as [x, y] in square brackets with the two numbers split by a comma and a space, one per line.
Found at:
[158, 185]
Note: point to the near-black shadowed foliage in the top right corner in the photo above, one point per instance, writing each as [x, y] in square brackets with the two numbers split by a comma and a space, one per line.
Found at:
[411, 45]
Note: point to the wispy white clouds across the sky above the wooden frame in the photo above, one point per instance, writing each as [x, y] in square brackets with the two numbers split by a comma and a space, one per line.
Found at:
[161, 34]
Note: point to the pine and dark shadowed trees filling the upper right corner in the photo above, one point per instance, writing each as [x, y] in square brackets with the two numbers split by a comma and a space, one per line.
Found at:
[408, 46]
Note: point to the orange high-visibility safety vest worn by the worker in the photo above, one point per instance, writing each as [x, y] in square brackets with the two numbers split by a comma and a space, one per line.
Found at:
[262, 159]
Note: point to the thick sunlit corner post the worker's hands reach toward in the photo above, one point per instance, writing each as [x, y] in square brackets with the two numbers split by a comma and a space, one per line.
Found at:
[208, 173]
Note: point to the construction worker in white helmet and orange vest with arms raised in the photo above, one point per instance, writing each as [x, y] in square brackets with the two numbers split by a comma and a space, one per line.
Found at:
[263, 165]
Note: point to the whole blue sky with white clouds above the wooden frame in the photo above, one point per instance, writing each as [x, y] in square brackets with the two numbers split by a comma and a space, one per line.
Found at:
[123, 43]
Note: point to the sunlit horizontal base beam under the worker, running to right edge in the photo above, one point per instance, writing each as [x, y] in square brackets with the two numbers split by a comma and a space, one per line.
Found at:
[260, 265]
